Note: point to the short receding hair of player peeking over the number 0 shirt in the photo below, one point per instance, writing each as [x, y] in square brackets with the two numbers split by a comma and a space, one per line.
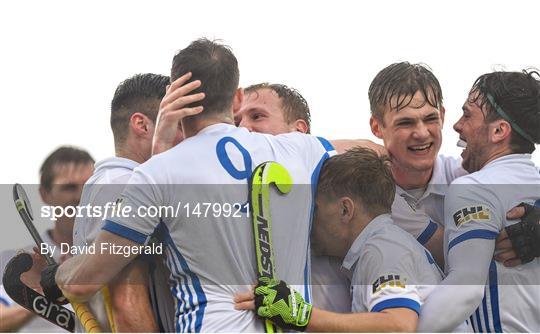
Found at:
[293, 103]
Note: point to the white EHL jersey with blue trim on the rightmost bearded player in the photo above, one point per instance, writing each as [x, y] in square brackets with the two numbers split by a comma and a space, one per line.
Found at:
[475, 211]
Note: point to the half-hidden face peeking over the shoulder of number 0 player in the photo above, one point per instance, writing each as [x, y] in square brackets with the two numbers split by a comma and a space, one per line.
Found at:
[261, 111]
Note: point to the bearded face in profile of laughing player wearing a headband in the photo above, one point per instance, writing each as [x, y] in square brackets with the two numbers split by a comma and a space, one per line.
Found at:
[473, 134]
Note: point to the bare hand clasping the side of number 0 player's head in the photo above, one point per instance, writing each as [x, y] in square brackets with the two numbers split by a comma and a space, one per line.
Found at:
[172, 110]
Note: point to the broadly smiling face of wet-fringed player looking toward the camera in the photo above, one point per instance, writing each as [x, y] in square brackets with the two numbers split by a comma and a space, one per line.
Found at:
[412, 135]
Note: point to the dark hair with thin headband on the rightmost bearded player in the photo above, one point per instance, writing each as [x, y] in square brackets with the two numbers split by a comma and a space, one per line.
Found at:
[517, 94]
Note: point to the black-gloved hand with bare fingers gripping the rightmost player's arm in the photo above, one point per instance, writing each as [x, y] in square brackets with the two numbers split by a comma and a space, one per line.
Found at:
[519, 243]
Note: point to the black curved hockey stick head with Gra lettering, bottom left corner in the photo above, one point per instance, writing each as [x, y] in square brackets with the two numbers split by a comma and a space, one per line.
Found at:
[30, 299]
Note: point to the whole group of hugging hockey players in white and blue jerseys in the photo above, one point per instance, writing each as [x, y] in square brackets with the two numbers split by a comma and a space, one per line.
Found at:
[370, 238]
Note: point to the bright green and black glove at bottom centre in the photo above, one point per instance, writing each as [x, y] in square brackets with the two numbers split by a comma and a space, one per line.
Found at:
[276, 301]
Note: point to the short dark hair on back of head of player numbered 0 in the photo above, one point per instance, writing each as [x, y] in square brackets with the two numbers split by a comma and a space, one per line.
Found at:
[217, 68]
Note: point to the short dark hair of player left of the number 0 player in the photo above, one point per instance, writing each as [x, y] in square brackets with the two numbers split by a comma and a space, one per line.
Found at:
[140, 93]
